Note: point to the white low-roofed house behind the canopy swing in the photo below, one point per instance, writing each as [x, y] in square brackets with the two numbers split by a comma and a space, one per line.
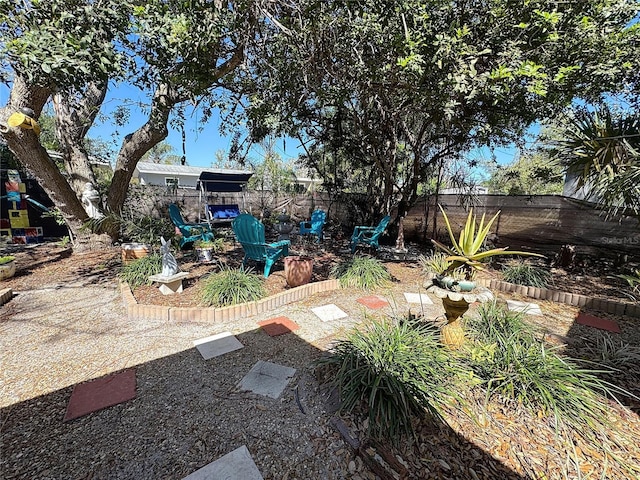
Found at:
[173, 176]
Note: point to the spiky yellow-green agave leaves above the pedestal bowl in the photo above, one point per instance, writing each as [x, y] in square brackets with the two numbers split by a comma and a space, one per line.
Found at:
[466, 253]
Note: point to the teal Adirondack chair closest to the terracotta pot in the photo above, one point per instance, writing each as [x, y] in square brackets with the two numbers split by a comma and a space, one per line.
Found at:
[249, 231]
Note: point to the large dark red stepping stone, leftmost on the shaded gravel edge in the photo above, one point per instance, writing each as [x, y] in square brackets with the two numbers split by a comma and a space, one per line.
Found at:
[101, 393]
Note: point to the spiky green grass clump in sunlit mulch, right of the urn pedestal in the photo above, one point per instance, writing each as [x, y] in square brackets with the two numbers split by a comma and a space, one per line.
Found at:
[514, 363]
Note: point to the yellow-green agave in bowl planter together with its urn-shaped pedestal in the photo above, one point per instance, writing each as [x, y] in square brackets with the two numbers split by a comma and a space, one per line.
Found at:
[455, 286]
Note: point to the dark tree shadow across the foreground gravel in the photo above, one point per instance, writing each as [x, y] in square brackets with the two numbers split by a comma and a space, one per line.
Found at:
[188, 412]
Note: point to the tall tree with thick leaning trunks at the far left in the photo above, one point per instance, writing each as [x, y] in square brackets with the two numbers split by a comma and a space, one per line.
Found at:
[71, 51]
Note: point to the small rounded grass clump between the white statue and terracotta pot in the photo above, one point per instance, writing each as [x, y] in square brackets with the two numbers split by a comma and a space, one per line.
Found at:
[230, 287]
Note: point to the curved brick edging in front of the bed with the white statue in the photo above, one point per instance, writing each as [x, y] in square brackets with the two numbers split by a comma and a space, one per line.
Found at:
[214, 315]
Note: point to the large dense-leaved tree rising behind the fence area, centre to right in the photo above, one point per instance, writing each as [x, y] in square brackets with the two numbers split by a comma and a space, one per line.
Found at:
[393, 88]
